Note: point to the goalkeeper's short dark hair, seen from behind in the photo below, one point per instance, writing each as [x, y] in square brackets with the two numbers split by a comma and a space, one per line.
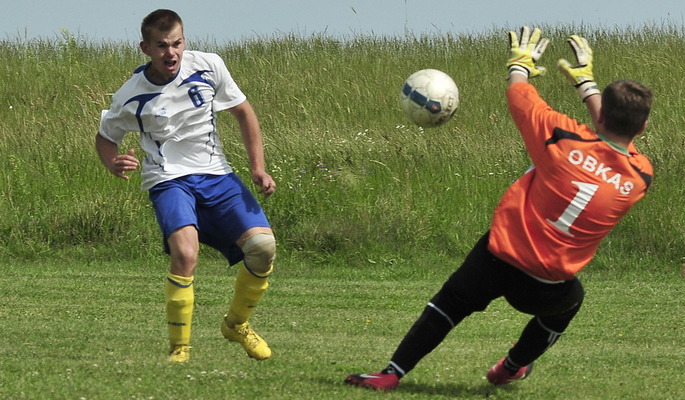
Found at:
[626, 105]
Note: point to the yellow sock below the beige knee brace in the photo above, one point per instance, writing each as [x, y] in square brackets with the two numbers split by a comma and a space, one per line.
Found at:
[249, 289]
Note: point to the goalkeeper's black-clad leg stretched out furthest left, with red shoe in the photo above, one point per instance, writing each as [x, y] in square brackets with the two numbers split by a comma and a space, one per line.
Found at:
[471, 288]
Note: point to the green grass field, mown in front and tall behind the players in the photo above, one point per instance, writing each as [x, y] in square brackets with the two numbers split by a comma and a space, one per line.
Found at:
[372, 214]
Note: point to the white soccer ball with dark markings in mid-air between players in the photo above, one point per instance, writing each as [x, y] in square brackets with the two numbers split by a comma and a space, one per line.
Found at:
[429, 97]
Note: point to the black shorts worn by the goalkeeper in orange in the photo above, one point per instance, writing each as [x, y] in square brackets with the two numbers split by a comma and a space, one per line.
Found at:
[483, 277]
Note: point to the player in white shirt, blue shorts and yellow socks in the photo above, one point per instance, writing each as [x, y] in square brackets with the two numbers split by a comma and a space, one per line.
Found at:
[173, 101]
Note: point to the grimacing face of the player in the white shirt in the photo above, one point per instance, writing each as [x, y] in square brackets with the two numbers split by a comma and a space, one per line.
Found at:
[165, 50]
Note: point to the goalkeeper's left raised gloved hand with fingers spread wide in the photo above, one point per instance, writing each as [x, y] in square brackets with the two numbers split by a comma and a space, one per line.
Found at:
[524, 54]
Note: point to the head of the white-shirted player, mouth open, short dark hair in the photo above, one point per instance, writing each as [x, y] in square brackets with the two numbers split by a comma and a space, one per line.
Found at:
[164, 43]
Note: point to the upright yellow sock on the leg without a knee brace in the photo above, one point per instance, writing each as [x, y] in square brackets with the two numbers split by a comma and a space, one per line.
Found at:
[180, 299]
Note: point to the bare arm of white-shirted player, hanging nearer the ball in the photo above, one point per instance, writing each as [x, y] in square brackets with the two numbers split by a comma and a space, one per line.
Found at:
[254, 145]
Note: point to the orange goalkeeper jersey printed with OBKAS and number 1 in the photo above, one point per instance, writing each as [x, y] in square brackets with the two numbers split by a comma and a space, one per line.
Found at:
[551, 220]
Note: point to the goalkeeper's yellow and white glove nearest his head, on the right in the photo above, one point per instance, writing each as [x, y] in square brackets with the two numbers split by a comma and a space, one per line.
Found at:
[580, 75]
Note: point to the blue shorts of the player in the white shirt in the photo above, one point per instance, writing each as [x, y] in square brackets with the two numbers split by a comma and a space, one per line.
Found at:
[221, 207]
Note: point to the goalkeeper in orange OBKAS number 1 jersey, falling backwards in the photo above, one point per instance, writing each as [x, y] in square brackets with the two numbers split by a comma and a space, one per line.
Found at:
[549, 222]
